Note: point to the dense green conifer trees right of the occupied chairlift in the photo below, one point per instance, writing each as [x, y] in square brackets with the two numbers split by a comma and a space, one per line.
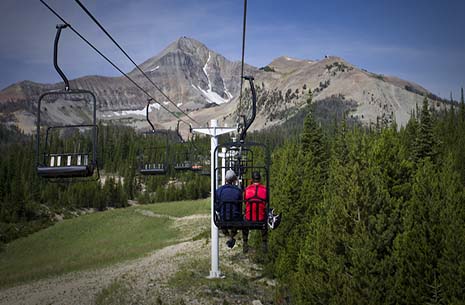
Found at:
[372, 216]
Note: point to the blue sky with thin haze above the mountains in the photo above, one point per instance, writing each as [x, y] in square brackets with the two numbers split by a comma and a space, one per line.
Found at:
[421, 41]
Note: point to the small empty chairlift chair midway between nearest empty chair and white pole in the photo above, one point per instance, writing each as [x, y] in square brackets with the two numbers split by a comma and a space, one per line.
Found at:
[153, 159]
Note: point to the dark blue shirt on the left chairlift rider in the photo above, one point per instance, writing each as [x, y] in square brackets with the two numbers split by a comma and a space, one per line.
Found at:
[229, 202]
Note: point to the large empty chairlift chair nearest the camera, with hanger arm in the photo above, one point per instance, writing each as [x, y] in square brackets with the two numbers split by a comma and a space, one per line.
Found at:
[58, 161]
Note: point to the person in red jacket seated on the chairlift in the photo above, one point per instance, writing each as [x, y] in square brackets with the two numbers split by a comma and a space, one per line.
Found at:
[255, 209]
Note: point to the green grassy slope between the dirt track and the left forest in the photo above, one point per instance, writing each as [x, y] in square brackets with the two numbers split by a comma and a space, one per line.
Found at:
[93, 241]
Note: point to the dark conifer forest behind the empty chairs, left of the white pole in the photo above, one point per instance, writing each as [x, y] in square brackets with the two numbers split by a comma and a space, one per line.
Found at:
[29, 203]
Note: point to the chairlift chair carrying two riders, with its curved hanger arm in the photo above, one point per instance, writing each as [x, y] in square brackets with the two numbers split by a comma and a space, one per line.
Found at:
[240, 158]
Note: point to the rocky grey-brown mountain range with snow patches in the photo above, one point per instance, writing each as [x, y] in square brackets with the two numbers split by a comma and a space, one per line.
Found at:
[206, 85]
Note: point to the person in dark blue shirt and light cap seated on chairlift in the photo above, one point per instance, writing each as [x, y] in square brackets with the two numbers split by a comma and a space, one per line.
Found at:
[228, 204]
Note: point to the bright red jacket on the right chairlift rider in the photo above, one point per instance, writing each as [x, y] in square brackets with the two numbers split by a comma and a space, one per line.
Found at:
[255, 198]
